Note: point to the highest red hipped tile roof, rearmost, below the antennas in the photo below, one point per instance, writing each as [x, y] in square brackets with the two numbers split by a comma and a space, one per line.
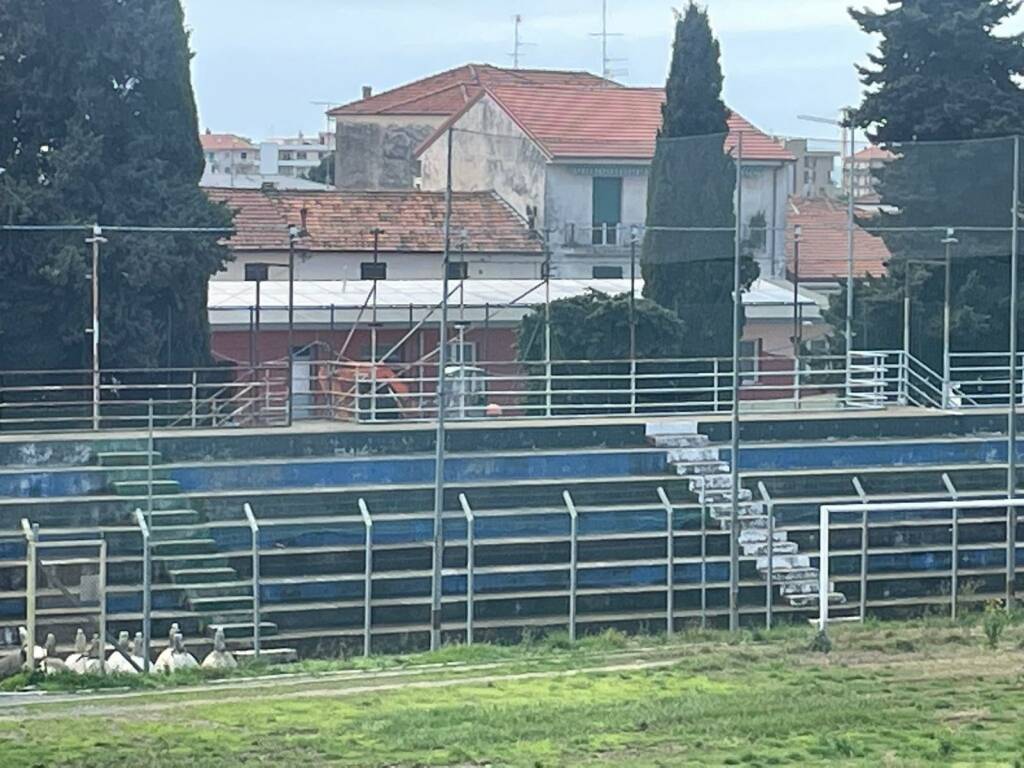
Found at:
[447, 93]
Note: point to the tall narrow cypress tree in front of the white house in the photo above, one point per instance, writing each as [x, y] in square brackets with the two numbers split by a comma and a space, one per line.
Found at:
[693, 185]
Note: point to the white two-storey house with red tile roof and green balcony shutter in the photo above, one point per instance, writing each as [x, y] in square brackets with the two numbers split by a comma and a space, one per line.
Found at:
[575, 162]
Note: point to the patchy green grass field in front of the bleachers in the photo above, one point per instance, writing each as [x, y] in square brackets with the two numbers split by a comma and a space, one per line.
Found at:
[927, 694]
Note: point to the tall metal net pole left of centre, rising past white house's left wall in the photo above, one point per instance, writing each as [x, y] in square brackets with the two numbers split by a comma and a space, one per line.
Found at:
[439, 552]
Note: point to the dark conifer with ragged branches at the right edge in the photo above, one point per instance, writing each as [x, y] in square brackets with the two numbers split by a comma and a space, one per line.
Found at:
[943, 75]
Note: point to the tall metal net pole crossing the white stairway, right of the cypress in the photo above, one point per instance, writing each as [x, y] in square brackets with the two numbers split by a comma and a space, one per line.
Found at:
[738, 308]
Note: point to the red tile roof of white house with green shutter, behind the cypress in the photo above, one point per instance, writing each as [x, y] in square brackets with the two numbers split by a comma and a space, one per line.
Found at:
[604, 123]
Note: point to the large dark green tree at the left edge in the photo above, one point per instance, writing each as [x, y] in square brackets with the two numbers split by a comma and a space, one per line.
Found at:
[99, 123]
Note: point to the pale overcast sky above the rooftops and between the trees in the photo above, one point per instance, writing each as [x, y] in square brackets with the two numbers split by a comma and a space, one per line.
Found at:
[261, 64]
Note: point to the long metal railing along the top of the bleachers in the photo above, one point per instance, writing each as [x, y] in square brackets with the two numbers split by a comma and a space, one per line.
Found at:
[241, 397]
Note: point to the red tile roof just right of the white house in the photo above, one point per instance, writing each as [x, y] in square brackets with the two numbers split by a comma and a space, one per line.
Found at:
[824, 246]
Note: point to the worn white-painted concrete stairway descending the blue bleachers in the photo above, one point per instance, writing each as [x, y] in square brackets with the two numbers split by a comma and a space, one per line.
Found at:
[692, 455]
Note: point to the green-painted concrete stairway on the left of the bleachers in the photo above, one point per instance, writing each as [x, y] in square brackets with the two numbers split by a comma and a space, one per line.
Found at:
[188, 558]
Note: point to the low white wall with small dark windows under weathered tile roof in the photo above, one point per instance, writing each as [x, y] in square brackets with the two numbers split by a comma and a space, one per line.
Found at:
[319, 267]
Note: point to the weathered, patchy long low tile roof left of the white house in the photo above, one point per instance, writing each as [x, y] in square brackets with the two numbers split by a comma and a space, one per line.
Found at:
[344, 221]
